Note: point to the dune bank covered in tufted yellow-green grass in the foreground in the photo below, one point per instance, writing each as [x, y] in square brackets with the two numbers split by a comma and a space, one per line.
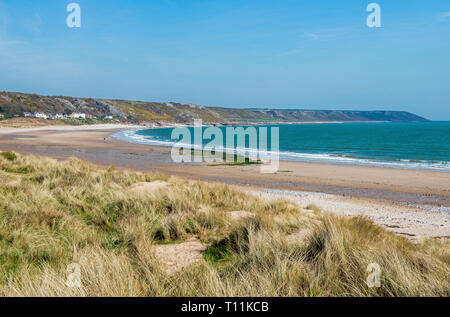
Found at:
[55, 213]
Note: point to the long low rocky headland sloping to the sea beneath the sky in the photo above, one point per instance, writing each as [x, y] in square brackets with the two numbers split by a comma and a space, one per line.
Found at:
[15, 104]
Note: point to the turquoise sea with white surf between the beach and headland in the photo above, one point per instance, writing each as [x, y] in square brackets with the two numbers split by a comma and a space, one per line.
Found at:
[402, 145]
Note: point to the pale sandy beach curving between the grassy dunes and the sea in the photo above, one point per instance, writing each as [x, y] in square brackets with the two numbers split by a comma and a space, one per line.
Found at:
[413, 203]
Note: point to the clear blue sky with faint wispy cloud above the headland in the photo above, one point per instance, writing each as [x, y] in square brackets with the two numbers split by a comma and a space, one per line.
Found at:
[289, 54]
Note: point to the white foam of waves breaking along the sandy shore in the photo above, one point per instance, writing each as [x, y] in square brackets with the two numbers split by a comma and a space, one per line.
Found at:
[133, 137]
